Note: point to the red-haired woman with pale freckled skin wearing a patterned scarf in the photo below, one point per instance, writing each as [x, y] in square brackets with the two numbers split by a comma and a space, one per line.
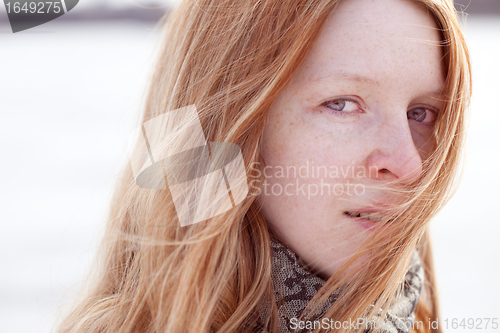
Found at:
[367, 99]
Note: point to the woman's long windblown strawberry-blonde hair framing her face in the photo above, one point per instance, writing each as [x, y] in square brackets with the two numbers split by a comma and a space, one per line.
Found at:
[231, 59]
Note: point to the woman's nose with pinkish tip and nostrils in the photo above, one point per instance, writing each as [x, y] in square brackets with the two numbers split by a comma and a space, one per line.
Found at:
[395, 156]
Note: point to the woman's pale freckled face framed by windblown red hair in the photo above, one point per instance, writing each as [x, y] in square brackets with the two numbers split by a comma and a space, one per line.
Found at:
[360, 110]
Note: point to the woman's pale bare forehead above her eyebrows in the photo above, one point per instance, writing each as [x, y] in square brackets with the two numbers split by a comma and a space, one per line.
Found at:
[378, 41]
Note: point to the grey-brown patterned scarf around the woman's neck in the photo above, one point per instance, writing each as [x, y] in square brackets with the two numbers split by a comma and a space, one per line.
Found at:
[295, 284]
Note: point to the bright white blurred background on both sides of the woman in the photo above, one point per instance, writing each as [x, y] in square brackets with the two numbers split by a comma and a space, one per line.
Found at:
[70, 93]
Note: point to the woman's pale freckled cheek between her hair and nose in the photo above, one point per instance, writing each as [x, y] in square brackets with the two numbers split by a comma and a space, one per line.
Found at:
[297, 158]
